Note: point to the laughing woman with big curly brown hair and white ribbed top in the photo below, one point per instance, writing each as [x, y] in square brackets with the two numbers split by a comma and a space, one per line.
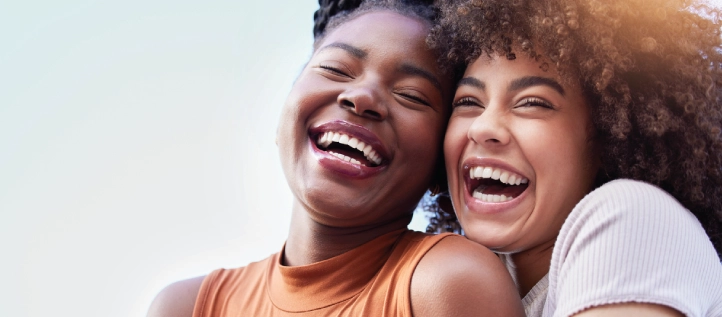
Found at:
[584, 148]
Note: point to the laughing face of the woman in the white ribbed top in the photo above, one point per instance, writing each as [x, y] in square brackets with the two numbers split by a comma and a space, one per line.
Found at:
[518, 153]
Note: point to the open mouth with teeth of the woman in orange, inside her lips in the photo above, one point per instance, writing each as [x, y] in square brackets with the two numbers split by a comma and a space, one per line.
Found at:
[348, 148]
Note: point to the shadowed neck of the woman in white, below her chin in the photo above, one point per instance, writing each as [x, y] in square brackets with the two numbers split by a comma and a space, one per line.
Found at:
[531, 265]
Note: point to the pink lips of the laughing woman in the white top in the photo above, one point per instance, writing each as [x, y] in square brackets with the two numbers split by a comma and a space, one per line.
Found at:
[477, 206]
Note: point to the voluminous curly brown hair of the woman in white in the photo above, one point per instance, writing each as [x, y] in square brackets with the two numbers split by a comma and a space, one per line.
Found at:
[650, 70]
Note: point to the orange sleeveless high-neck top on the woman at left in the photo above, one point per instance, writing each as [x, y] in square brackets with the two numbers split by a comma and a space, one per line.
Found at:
[372, 280]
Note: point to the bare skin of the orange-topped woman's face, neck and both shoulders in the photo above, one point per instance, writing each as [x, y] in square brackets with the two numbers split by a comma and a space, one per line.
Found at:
[397, 94]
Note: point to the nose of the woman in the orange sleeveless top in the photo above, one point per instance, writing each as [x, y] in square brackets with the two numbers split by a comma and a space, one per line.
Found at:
[364, 100]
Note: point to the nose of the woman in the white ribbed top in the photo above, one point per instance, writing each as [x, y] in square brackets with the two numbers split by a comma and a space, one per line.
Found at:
[490, 129]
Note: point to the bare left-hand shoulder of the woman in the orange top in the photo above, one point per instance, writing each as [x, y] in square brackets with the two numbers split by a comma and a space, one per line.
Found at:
[177, 299]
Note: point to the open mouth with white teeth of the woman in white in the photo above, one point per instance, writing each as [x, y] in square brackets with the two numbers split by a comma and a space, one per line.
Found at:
[495, 185]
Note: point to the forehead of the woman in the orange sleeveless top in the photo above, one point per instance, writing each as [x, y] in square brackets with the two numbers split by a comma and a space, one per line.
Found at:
[383, 32]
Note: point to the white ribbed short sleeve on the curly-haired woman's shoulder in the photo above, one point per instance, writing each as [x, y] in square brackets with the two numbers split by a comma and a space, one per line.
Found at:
[629, 241]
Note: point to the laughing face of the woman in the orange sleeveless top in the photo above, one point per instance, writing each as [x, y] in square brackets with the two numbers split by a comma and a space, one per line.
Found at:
[361, 130]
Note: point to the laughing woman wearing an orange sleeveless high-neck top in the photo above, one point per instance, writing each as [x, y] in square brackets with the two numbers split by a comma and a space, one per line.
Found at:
[371, 100]
